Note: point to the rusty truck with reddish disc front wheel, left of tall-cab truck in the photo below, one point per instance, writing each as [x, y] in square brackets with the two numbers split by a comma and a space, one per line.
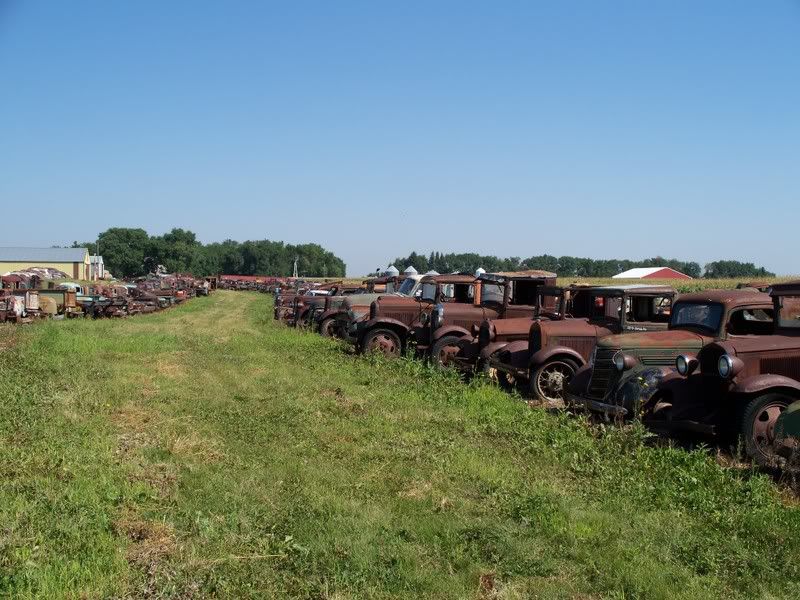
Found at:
[395, 322]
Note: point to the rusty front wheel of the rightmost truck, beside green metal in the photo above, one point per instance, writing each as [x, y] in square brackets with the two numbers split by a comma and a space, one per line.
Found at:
[757, 427]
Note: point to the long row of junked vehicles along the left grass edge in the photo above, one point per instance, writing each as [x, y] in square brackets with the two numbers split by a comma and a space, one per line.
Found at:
[24, 298]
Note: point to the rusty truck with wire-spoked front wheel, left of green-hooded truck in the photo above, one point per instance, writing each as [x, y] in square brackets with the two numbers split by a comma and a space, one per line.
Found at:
[555, 349]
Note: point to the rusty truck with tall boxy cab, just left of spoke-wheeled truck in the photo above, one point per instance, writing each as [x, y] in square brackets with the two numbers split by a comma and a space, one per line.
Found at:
[454, 331]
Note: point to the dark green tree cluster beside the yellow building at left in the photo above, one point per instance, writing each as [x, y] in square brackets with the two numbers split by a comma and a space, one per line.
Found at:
[129, 252]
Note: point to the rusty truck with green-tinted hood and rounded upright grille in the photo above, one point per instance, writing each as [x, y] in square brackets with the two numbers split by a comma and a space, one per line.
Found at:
[627, 369]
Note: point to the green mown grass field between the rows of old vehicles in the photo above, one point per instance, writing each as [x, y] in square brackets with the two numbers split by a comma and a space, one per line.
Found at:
[207, 451]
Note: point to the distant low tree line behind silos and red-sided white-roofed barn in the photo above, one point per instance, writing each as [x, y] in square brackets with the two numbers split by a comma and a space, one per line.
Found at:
[572, 266]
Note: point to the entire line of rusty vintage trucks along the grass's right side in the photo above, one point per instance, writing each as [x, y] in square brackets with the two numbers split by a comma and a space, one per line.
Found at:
[723, 363]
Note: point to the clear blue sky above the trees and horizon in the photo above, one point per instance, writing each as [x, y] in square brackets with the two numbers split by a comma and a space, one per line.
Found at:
[602, 129]
